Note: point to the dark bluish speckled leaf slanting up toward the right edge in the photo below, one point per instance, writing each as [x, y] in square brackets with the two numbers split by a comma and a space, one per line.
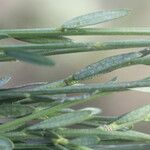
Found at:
[107, 65]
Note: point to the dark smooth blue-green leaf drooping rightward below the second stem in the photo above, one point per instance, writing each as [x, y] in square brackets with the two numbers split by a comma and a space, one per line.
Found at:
[29, 57]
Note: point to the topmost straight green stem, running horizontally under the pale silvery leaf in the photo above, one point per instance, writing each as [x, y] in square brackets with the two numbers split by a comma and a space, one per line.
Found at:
[47, 32]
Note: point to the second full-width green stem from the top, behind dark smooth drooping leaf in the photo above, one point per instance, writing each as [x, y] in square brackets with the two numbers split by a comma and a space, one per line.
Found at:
[63, 48]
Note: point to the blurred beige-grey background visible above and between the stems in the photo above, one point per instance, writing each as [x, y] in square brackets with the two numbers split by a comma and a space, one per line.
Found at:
[52, 13]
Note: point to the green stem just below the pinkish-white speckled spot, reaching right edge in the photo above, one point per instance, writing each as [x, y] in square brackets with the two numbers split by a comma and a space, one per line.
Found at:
[126, 135]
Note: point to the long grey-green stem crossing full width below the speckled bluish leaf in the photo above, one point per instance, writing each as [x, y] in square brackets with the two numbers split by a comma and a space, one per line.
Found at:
[122, 86]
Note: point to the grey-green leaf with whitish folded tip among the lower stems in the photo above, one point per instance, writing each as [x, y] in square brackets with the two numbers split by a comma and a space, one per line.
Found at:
[66, 119]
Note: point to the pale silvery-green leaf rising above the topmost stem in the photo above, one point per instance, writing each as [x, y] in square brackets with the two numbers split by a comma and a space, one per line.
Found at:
[95, 18]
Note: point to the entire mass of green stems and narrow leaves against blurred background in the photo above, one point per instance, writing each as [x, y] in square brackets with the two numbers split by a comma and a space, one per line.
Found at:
[39, 115]
